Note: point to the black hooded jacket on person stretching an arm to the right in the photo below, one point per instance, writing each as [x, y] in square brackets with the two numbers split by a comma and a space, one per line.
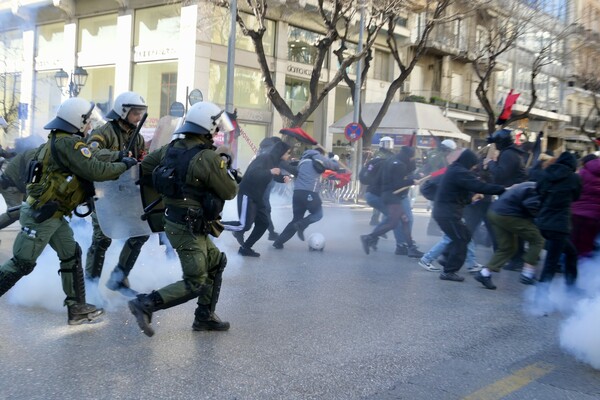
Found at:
[457, 187]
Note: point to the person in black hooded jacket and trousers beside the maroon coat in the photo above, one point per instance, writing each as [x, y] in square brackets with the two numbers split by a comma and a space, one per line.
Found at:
[558, 187]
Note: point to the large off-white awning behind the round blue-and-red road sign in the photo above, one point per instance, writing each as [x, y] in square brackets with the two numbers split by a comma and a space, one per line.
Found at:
[406, 118]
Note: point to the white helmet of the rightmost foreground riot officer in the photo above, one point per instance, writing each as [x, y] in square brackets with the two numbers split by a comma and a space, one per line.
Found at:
[205, 118]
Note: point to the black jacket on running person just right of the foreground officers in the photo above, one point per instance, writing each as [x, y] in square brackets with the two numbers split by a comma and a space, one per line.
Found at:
[258, 175]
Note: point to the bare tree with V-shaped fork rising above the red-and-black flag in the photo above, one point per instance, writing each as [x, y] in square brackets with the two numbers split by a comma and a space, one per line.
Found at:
[336, 20]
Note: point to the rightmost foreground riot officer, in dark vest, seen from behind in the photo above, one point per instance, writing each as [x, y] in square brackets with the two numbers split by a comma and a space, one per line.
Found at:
[194, 182]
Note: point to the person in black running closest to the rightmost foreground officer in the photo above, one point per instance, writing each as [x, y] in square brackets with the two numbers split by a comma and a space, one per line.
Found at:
[251, 205]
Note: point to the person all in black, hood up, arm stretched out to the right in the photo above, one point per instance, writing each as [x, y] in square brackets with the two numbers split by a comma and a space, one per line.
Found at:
[455, 191]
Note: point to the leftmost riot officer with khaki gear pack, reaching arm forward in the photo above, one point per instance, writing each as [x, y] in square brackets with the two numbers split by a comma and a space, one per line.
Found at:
[60, 180]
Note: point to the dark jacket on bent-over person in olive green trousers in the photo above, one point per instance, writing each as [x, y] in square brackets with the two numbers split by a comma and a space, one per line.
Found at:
[522, 201]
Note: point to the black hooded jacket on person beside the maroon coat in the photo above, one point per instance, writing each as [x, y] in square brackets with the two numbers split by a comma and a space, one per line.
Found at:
[558, 187]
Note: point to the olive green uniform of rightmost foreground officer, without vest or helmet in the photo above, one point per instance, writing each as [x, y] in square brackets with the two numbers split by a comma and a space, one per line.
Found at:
[202, 262]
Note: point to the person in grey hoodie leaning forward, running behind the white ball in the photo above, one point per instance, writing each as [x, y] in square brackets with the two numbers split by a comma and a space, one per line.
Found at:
[306, 194]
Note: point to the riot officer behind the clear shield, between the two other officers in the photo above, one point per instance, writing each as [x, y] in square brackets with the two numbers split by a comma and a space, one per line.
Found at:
[109, 142]
